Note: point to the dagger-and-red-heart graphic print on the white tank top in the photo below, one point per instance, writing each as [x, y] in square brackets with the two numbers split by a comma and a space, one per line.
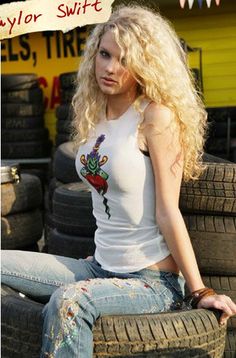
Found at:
[93, 173]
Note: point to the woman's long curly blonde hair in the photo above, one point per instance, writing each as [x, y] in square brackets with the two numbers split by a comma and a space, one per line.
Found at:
[155, 58]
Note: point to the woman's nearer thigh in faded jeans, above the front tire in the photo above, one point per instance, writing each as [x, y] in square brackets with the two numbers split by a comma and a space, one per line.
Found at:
[119, 296]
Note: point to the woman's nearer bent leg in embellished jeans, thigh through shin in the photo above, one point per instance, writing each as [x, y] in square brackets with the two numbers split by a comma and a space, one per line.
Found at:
[74, 308]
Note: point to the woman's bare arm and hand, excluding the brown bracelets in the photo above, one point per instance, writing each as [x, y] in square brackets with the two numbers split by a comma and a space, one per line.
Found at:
[167, 161]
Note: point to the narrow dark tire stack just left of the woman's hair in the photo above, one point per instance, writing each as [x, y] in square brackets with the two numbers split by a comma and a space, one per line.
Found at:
[64, 112]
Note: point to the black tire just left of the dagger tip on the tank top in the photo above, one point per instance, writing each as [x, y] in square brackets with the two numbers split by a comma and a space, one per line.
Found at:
[72, 210]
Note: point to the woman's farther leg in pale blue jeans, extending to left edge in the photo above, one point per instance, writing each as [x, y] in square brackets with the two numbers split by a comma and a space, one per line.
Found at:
[40, 274]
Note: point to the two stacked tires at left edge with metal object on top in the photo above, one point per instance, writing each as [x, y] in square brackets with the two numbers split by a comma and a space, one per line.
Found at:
[21, 214]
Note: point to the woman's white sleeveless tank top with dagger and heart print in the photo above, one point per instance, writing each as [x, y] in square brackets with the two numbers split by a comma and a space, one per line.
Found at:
[123, 194]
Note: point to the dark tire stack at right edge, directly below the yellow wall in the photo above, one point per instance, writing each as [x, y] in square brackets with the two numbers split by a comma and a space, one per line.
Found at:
[222, 132]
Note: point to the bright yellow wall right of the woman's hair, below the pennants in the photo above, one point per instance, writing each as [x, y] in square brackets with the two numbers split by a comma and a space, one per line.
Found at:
[214, 30]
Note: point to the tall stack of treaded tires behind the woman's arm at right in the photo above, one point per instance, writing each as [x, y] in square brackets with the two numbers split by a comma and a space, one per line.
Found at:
[209, 210]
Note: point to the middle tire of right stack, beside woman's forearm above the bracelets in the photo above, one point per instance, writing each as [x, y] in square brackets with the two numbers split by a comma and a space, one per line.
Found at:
[214, 243]
